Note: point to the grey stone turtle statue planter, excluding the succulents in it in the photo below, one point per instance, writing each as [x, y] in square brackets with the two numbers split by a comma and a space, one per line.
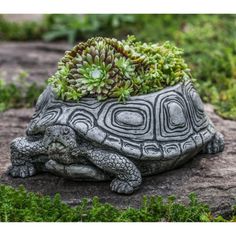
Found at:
[93, 140]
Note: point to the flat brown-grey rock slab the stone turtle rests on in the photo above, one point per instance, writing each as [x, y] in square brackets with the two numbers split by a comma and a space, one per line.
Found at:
[211, 177]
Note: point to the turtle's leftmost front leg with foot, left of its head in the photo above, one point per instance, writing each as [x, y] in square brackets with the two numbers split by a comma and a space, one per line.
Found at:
[23, 157]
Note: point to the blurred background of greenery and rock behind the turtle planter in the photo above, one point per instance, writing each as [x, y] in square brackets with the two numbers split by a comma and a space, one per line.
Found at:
[31, 45]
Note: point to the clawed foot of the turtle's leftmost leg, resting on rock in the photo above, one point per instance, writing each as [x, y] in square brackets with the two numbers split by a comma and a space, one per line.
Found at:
[22, 171]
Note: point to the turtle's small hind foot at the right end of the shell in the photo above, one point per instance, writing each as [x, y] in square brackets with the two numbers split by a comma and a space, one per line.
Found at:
[215, 145]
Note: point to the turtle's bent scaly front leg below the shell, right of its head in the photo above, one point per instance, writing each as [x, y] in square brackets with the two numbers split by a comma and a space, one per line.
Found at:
[128, 177]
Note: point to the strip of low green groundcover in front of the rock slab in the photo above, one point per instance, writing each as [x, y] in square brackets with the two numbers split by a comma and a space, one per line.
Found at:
[18, 205]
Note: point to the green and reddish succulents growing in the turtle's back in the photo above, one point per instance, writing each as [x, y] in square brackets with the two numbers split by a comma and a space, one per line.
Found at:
[106, 68]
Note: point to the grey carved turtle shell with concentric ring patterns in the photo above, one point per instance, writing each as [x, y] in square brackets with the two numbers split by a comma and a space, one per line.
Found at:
[166, 124]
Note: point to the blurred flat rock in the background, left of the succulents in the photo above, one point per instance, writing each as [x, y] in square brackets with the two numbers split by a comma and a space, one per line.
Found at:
[36, 58]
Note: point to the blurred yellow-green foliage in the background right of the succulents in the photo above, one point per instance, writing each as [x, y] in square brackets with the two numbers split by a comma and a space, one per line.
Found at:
[210, 50]
